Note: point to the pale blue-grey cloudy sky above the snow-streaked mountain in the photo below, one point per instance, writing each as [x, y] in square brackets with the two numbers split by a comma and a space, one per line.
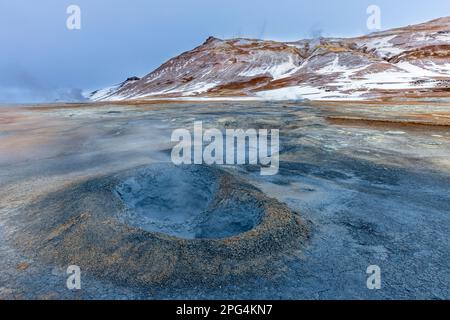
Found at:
[40, 58]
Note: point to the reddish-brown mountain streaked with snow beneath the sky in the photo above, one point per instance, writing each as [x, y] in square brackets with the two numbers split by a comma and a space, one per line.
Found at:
[412, 61]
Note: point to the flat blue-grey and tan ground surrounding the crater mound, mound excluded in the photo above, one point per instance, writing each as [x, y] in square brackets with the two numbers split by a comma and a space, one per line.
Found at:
[370, 195]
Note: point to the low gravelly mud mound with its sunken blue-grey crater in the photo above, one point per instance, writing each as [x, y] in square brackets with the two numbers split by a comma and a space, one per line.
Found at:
[90, 225]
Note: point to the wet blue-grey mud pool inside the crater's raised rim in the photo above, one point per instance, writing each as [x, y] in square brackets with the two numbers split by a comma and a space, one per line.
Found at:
[185, 202]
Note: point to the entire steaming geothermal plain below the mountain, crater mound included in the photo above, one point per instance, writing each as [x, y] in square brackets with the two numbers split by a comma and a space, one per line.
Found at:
[93, 185]
